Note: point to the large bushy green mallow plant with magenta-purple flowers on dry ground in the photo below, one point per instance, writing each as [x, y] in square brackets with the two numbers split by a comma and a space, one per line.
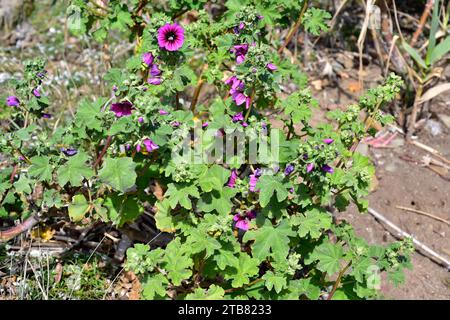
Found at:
[253, 210]
